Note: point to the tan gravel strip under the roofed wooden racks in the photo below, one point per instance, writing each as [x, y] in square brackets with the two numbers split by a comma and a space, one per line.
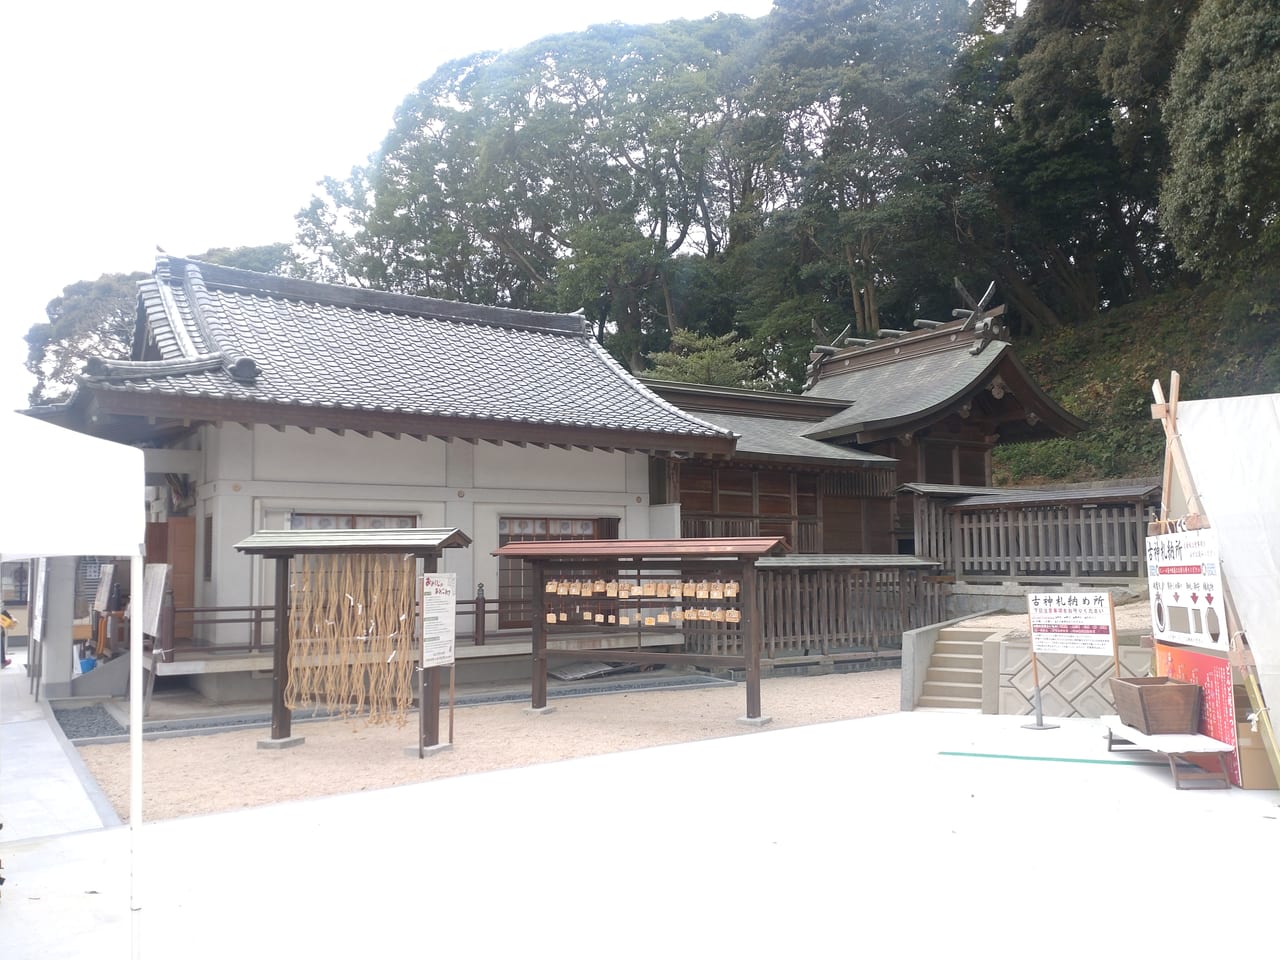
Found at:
[227, 771]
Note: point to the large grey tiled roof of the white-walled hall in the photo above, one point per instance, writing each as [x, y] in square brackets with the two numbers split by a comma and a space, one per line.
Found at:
[236, 336]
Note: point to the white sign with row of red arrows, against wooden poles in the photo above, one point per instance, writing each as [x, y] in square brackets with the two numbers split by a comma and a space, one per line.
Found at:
[1185, 579]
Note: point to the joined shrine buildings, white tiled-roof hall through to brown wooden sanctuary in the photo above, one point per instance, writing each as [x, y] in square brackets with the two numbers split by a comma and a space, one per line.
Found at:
[267, 404]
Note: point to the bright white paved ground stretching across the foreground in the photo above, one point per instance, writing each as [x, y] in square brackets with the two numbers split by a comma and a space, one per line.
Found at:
[918, 834]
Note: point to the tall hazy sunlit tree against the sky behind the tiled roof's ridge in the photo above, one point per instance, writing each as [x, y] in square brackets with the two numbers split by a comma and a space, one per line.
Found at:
[566, 175]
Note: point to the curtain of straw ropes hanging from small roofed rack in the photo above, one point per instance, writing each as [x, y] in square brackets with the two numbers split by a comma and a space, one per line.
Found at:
[351, 639]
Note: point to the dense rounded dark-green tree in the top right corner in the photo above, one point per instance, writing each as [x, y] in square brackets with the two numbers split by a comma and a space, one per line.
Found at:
[1220, 202]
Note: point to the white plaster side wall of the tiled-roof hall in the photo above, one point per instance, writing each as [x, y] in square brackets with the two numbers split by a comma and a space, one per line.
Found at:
[254, 479]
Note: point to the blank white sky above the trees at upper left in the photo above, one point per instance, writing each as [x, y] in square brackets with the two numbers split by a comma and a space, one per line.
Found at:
[138, 124]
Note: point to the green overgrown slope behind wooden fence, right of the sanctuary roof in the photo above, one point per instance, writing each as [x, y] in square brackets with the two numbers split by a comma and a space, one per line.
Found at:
[1223, 342]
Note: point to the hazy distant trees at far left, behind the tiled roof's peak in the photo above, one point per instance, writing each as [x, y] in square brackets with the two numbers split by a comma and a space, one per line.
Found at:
[98, 318]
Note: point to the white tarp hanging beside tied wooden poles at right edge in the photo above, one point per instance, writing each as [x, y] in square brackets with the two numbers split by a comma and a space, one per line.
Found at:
[1233, 450]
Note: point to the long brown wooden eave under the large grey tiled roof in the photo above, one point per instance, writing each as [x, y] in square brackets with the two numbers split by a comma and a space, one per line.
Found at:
[167, 413]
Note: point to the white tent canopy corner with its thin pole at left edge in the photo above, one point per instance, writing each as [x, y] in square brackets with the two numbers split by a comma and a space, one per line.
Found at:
[67, 495]
